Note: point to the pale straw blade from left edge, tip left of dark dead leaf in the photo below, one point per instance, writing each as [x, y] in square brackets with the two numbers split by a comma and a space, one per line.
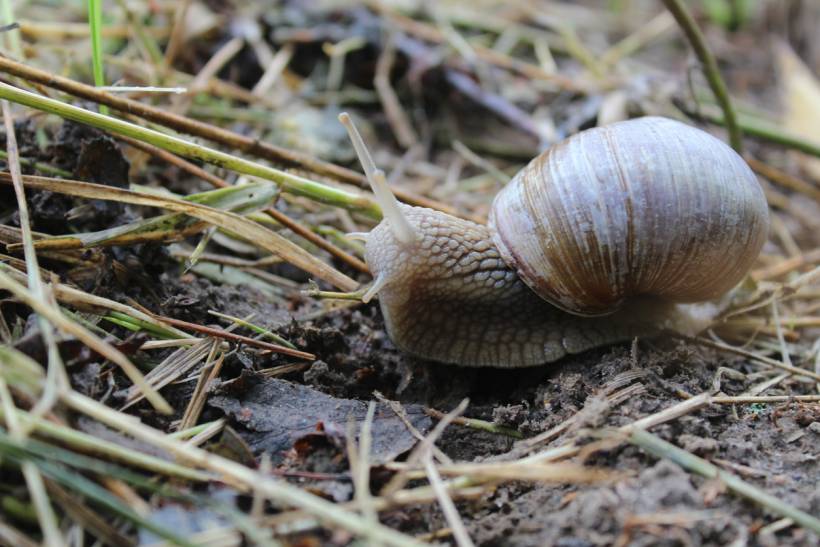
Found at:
[87, 337]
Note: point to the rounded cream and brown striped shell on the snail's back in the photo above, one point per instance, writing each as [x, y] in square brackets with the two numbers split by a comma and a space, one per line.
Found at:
[648, 206]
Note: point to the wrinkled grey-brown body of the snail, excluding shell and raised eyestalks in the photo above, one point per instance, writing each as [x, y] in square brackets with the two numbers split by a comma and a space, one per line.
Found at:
[449, 297]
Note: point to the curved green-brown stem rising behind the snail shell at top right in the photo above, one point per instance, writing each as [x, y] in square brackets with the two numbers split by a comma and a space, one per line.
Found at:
[710, 69]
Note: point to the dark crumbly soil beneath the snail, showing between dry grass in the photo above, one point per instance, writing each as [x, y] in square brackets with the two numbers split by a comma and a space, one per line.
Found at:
[295, 420]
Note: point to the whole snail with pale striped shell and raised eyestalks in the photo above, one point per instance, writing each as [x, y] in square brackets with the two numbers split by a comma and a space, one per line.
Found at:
[613, 233]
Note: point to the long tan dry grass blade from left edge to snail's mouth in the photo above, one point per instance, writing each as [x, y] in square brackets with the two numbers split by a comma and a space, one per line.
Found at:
[242, 227]
